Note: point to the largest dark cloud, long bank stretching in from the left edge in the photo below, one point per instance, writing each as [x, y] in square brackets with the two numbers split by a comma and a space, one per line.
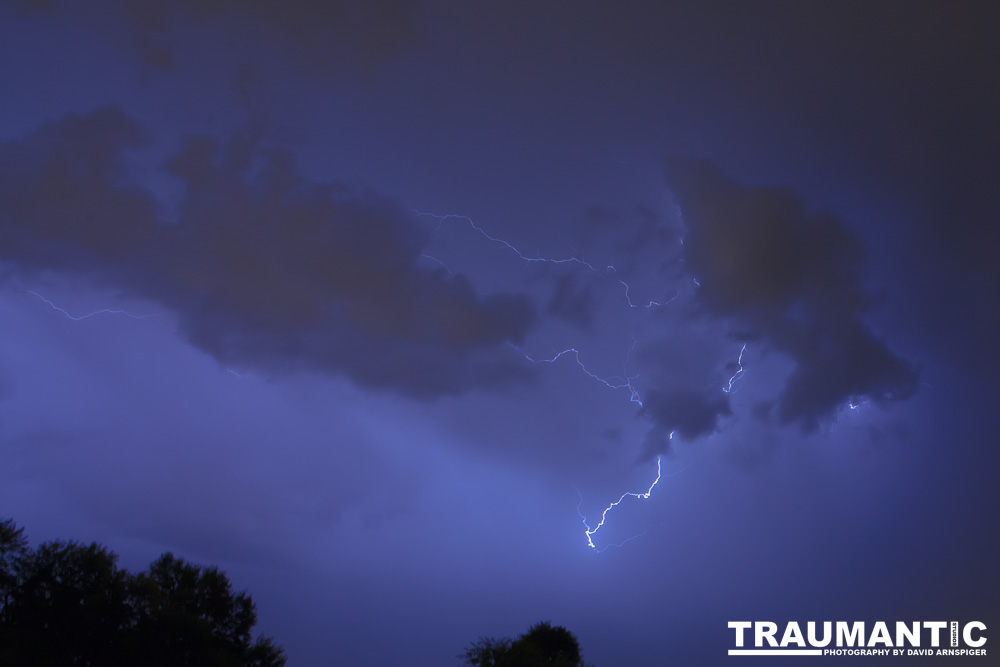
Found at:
[264, 269]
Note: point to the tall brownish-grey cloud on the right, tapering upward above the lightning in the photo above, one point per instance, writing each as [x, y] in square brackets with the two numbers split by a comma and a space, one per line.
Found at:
[793, 277]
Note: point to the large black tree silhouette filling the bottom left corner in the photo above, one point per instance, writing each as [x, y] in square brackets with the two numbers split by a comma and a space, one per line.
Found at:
[66, 603]
